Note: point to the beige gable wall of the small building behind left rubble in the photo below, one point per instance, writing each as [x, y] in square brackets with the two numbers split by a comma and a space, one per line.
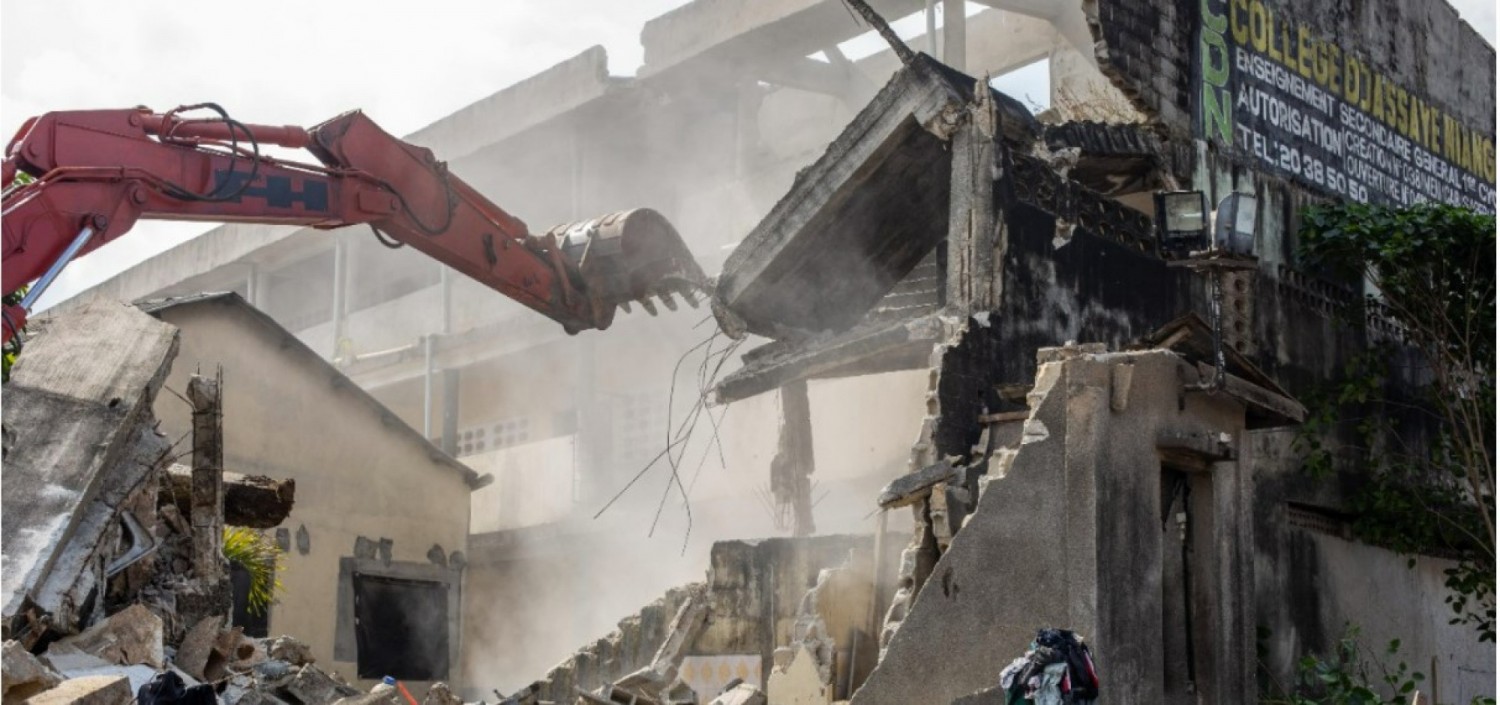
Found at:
[287, 416]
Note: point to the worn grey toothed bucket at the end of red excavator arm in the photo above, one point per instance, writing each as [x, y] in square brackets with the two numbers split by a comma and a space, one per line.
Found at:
[632, 257]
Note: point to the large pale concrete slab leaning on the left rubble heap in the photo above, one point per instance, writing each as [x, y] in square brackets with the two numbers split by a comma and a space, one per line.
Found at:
[80, 448]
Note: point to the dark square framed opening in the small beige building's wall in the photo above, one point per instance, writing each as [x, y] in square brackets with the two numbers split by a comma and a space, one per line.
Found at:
[401, 628]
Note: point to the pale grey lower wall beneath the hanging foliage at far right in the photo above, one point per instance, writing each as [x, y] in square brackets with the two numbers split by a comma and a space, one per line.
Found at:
[1313, 581]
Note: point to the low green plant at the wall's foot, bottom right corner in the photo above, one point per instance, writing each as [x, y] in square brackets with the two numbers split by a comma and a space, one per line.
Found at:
[1351, 677]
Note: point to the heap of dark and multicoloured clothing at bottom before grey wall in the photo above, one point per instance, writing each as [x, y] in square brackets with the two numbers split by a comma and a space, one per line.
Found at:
[1058, 670]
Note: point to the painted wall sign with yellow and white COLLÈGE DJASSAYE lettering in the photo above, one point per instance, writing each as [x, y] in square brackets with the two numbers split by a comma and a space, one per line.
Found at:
[1279, 94]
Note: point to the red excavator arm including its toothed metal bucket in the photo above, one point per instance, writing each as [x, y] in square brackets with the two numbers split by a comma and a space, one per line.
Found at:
[98, 172]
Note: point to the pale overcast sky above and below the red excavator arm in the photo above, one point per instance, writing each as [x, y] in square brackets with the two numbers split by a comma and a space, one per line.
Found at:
[280, 62]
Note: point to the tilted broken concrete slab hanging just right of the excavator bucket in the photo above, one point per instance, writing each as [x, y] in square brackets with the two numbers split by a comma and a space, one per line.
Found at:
[865, 214]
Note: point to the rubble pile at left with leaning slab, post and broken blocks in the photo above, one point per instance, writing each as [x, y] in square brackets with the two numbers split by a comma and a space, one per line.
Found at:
[115, 574]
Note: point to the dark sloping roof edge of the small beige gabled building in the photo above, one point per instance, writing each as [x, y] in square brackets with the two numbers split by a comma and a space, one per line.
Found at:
[289, 343]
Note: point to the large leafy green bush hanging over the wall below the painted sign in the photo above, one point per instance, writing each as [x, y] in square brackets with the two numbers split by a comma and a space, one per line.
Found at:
[1429, 461]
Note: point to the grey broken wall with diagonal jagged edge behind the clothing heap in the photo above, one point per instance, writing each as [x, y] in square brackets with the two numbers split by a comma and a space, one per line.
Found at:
[1069, 533]
